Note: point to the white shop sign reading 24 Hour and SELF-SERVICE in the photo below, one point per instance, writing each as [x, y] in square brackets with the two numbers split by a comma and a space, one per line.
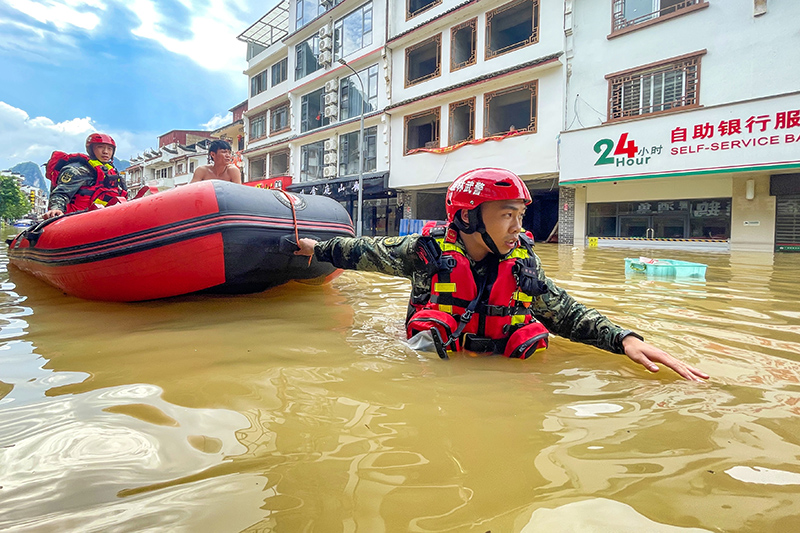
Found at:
[760, 134]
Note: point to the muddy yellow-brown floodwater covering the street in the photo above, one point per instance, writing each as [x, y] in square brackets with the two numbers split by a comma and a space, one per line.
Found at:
[301, 409]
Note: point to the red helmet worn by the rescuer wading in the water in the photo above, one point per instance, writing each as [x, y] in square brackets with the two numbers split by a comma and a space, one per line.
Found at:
[474, 187]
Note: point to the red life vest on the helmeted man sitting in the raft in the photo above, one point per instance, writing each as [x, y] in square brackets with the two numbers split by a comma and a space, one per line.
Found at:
[105, 190]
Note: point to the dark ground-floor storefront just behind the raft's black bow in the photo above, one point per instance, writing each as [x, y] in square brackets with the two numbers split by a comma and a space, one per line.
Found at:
[381, 213]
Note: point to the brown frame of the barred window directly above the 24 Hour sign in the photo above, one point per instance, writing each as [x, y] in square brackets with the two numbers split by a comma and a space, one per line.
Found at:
[686, 60]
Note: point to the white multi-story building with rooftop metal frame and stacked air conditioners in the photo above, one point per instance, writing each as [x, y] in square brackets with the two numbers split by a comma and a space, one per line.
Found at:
[311, 66]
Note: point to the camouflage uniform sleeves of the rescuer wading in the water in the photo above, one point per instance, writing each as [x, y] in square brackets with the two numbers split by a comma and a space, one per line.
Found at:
[559, 312]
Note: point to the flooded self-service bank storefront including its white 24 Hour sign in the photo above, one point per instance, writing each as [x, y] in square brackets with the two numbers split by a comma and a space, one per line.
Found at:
[722, 177]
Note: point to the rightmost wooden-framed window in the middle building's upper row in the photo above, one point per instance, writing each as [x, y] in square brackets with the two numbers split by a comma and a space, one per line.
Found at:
[512, 26]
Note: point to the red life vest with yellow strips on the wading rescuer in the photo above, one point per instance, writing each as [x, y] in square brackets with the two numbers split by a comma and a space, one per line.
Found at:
[495, 318]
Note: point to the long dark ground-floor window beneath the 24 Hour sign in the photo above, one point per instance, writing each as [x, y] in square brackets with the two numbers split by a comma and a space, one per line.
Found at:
[708, 218]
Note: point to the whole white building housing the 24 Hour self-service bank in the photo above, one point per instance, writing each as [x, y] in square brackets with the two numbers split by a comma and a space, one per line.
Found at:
[682, 124]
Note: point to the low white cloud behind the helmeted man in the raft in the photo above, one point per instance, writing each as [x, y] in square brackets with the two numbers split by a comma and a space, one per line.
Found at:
[23, 138]
